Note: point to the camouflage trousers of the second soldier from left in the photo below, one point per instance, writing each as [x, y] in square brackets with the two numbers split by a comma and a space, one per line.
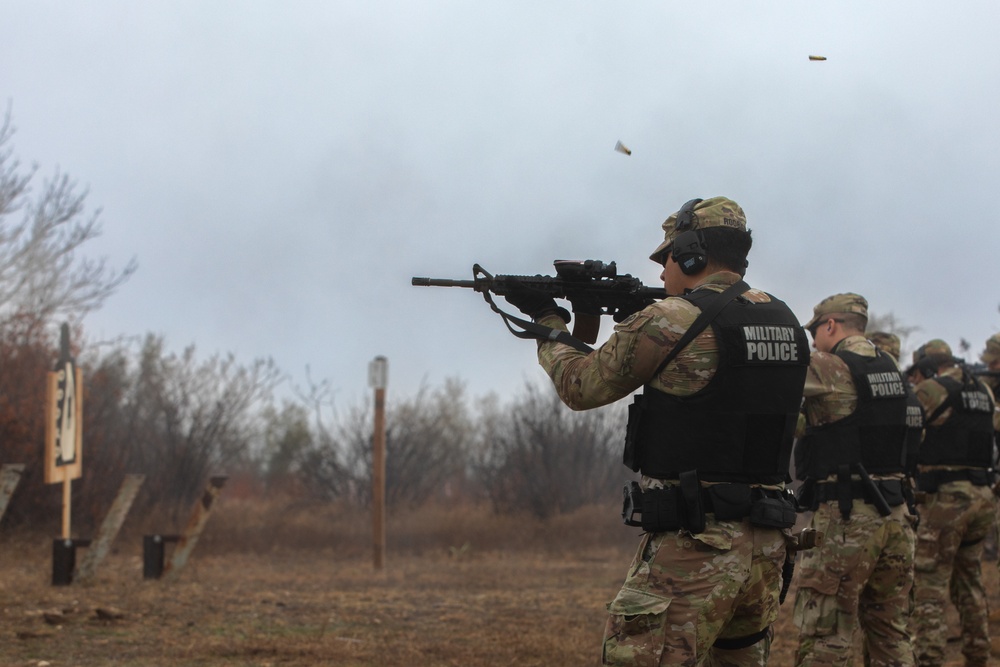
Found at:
[861, 575]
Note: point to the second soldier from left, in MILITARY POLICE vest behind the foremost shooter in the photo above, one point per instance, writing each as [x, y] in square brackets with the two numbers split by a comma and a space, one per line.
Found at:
[851, 458]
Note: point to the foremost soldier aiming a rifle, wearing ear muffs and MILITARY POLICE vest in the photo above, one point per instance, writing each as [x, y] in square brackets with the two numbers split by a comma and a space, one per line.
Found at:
[722, 367]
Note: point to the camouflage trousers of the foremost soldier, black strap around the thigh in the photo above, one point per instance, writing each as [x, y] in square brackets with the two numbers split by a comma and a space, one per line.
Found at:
[682, 594]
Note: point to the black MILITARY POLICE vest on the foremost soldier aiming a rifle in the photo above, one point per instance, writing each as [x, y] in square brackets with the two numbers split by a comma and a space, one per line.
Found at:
[740, 426]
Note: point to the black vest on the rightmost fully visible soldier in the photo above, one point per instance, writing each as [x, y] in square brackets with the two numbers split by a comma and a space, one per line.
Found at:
[966, 439]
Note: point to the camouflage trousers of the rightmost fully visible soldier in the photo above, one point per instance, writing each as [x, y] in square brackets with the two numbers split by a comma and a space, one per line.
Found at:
[953, 523]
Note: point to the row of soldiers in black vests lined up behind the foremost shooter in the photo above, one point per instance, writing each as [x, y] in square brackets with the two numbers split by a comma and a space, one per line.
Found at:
[906, 523]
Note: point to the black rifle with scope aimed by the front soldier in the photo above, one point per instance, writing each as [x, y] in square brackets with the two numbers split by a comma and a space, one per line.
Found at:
[592, 286]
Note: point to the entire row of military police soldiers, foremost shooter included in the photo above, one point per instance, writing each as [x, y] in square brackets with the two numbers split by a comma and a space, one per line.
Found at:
[727, 381]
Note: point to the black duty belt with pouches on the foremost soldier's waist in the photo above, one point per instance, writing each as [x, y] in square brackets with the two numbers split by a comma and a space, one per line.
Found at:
[676, 507]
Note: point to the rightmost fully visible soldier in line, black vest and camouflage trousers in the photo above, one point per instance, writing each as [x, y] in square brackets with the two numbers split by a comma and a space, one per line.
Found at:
[958, 512]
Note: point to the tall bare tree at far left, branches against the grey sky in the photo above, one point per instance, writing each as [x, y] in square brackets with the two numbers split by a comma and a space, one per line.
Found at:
[41, 270]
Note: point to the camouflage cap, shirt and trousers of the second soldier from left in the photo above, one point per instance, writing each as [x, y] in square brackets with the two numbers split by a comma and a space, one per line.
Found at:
[863, 572]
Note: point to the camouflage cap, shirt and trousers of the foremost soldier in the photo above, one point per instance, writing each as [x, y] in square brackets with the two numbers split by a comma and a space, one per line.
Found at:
[683, 591]
